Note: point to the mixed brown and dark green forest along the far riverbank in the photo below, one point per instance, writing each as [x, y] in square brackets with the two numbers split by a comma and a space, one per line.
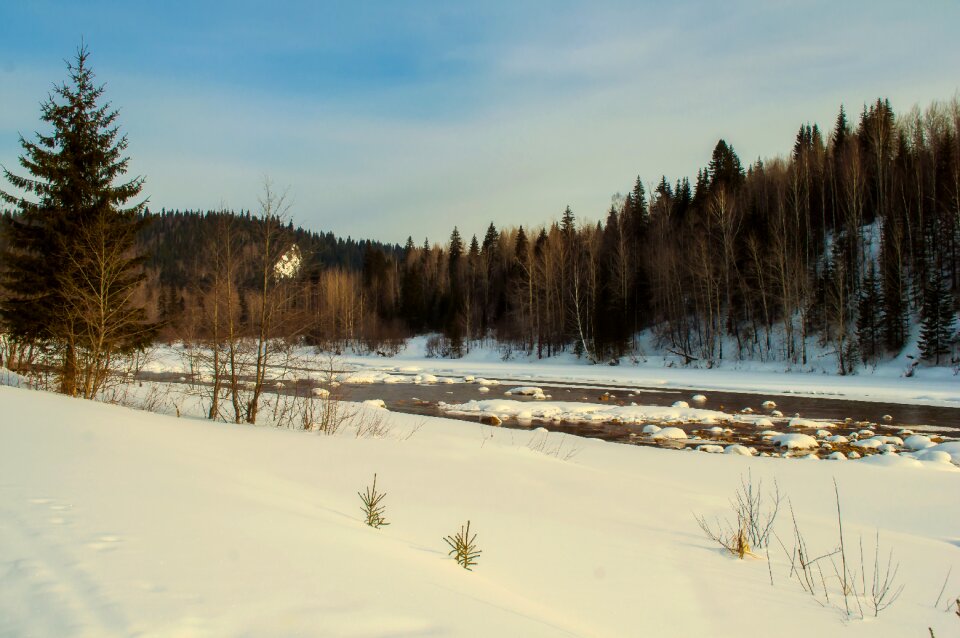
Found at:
[849, 242]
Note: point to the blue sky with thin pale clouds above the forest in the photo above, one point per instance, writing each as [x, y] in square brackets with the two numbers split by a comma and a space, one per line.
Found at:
[383, 120]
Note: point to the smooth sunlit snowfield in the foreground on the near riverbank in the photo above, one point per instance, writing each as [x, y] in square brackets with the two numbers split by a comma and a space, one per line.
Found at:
[115, 522]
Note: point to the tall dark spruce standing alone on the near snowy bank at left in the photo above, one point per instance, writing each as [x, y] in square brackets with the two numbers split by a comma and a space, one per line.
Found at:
[70, 271]
